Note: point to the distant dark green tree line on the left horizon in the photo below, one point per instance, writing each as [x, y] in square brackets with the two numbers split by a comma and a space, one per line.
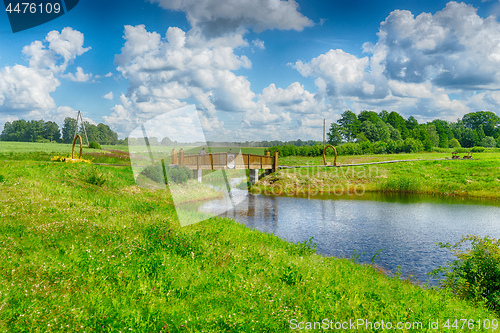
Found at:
[48, 131]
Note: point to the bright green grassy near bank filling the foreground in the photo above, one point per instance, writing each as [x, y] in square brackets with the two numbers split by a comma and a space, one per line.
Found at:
[82, 248]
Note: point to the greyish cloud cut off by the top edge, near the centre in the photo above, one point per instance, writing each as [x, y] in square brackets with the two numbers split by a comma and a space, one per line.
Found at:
[215, 18]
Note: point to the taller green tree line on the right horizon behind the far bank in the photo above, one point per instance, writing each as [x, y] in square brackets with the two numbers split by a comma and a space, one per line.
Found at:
[481, 128]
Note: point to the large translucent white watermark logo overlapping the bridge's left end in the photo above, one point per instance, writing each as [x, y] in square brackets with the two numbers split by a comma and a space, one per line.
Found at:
[170, 153]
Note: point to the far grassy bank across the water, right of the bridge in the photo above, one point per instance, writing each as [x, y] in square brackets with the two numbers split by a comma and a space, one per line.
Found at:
[477, 178]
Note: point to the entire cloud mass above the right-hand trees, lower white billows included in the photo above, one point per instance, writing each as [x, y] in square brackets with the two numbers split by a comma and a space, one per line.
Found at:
[417, 64]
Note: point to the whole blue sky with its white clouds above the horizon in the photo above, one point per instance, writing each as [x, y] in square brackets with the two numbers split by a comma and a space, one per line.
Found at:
[255, 70]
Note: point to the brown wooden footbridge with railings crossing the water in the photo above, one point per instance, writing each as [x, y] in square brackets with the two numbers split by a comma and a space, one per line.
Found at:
[226, 161]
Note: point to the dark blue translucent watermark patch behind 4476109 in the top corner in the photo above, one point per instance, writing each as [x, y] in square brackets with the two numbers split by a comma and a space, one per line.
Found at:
[26, 14]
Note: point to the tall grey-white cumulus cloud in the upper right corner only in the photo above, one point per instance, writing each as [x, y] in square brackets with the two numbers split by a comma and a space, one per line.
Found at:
[453, 48]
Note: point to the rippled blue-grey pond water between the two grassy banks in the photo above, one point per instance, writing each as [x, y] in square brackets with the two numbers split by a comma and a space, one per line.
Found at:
[406, 229]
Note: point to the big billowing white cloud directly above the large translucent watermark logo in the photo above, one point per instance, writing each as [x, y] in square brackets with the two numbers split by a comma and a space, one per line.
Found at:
[164, 73]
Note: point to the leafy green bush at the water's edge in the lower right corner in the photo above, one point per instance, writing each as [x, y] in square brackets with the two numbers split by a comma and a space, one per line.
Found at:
[475, 274]
